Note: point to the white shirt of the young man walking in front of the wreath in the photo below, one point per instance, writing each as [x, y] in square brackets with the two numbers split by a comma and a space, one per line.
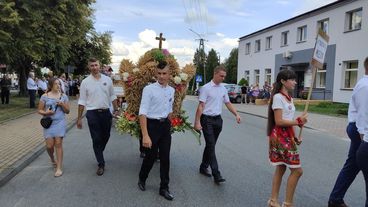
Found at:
[157, 101]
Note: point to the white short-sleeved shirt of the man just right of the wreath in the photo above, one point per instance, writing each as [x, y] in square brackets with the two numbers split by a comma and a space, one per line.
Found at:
[213, 96]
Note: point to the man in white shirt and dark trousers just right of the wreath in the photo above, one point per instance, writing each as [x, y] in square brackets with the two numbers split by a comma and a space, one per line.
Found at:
[208, 118]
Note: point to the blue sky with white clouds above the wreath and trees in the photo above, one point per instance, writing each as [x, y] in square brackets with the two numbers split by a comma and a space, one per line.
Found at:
[135, 24]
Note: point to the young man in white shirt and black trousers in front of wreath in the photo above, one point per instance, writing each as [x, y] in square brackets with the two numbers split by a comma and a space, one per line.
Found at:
[154, 113]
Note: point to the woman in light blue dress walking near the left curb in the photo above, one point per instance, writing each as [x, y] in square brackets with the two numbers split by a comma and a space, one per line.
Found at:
[54, 104]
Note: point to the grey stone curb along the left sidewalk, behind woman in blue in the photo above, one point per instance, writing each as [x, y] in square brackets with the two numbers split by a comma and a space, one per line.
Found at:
[19, 165]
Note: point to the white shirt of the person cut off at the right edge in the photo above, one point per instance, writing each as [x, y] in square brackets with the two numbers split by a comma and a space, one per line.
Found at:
[359, 102]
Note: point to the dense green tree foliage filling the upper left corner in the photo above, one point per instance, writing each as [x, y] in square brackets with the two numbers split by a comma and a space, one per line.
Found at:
[51, 33]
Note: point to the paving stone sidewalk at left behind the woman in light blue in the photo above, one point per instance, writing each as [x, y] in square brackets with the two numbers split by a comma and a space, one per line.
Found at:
[21, 141]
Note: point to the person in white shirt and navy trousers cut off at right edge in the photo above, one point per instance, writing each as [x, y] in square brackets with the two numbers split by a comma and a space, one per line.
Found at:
[358, 150]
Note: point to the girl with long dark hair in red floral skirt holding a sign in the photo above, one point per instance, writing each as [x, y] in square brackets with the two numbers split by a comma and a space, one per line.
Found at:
[283, 151]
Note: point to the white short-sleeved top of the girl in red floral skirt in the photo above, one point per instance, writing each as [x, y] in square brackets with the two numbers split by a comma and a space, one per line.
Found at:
[288, 109]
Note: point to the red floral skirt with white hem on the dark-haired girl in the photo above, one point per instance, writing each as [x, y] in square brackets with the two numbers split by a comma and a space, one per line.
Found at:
[283, 149]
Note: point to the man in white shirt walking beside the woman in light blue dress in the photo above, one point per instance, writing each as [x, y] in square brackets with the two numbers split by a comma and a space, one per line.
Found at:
[96, 95]
